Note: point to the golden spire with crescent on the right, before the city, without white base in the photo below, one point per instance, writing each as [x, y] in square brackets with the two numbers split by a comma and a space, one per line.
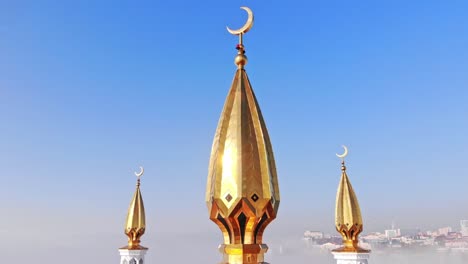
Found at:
[348, 219]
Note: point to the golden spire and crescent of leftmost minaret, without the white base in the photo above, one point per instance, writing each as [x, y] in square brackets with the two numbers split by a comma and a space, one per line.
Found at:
[135, 224]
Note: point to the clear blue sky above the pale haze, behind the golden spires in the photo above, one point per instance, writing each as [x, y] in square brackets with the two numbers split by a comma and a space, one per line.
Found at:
[90, 91]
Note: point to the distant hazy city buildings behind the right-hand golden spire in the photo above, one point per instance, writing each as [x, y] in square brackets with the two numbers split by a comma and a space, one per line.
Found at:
[443, 239]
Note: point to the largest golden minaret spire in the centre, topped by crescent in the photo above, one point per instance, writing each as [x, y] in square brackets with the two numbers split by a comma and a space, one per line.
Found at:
[242, 191]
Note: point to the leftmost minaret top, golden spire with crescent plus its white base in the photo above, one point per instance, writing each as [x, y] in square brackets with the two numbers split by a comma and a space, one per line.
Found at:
[135, 228]
